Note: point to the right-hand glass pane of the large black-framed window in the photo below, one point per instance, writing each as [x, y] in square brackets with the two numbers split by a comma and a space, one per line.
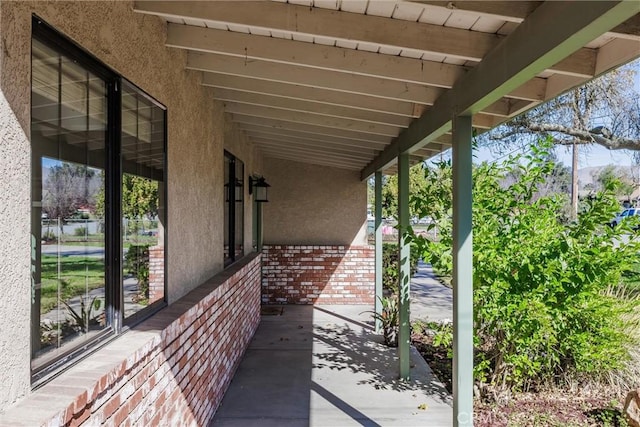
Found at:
[143, 212]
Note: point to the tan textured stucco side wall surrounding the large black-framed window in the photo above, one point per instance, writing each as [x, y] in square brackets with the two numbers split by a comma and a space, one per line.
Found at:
[133, 45]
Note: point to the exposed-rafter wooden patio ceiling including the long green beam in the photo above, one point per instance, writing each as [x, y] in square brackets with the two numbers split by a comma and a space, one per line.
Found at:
[352, 83]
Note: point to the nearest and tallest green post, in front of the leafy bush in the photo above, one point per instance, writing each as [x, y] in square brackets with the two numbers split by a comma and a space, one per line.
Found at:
[462, 273]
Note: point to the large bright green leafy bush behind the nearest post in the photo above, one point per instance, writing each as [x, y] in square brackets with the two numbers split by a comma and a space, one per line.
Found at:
[543, 305]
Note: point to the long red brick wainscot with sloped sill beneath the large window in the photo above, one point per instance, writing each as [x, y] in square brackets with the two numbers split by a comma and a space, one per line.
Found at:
[172, 369]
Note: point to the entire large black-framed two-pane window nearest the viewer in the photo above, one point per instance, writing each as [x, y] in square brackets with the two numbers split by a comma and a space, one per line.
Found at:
[98, 202]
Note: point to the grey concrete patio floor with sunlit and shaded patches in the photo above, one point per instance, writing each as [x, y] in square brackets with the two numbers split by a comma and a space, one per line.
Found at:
[324, 366]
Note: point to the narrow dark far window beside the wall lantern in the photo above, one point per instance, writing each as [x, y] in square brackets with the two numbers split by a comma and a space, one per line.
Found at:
[233, 208]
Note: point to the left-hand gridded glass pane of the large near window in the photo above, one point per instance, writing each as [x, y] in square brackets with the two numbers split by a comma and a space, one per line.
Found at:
[68, 157]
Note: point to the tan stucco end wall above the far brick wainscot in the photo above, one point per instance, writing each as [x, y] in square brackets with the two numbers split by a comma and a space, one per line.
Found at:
[314, 205]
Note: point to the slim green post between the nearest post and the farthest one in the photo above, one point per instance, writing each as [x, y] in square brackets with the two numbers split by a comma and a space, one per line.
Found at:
[404, 266]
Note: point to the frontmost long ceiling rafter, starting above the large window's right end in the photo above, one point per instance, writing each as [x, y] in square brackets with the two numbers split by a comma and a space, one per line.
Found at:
[452, 42]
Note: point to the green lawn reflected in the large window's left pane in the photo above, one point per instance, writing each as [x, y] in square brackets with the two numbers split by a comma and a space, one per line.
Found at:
[76, 274]
